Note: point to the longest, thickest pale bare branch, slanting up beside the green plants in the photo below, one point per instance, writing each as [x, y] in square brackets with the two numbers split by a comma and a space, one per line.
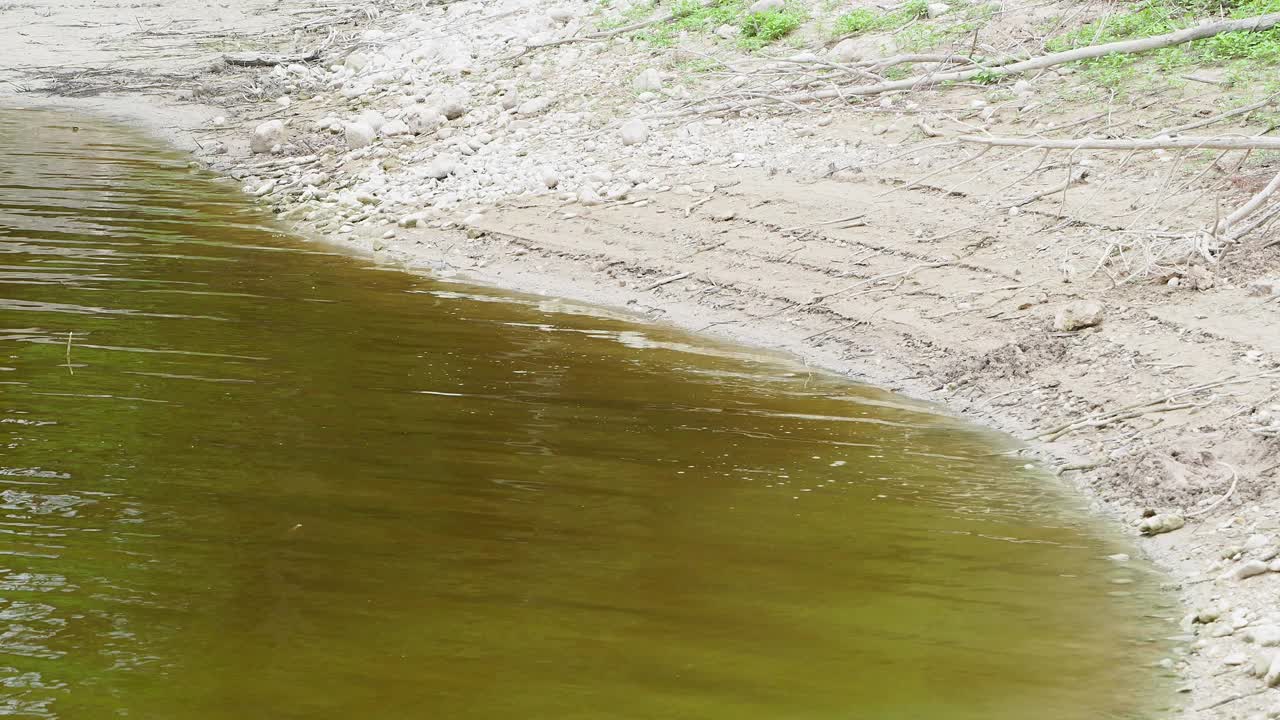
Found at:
[1128, 47]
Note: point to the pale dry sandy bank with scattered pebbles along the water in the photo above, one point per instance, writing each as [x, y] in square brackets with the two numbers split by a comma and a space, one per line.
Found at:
[856, 236]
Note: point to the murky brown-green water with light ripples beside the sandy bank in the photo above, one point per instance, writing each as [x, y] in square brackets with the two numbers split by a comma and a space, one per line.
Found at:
[271, 481]
